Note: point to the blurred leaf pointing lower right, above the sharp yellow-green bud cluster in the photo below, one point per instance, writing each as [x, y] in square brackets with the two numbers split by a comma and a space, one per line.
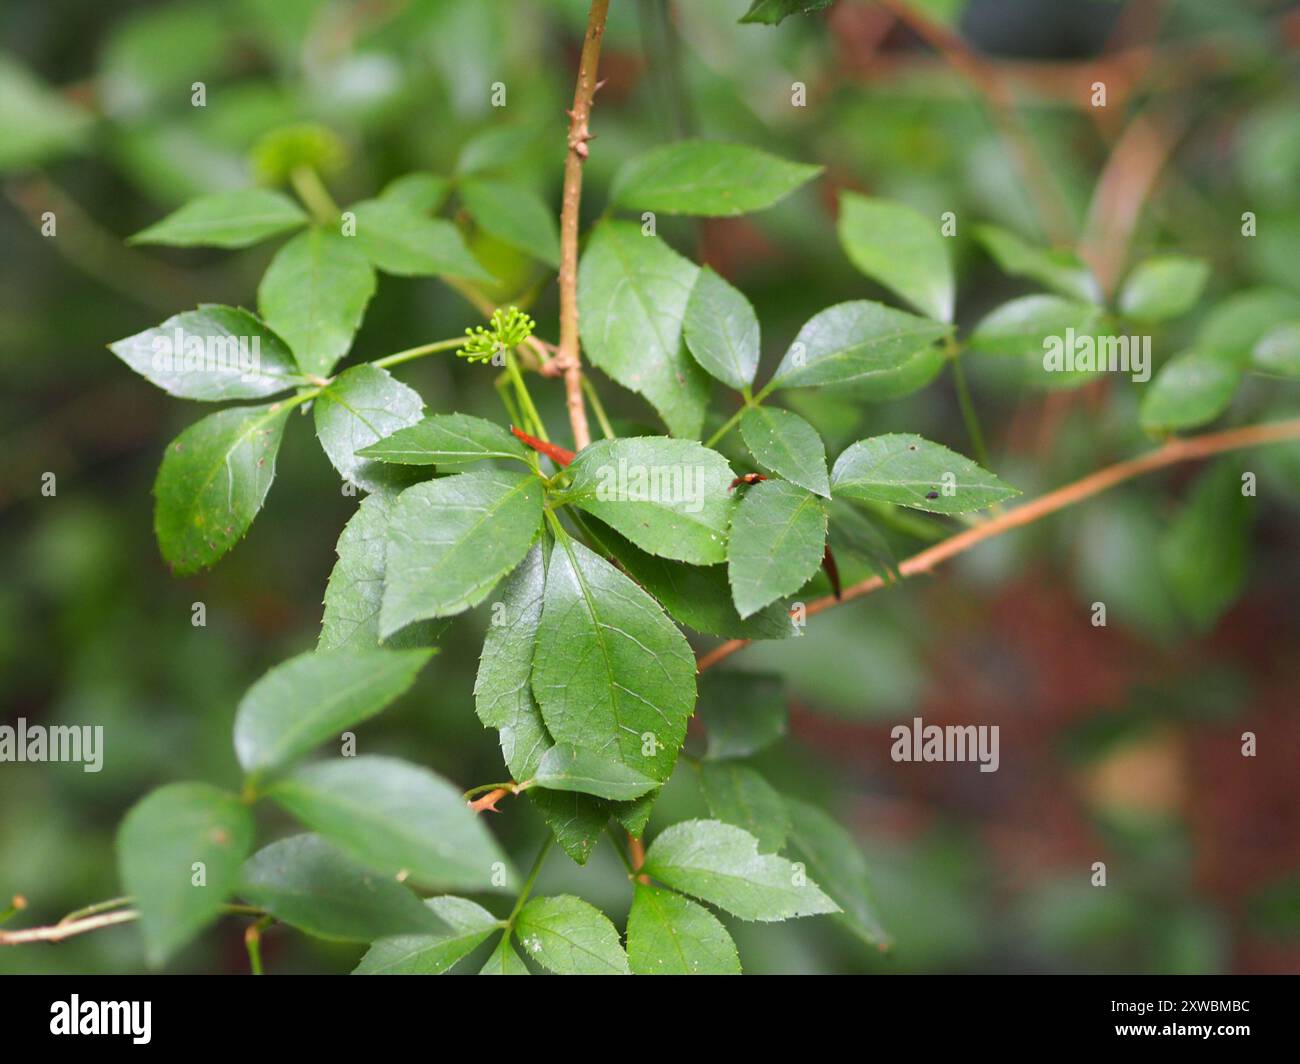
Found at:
[401, 240]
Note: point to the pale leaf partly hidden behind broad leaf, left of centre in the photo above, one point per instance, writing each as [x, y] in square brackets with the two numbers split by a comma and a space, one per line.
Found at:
[356, 586]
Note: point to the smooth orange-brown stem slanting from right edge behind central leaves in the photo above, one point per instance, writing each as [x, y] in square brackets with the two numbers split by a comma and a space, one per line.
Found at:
[1188, 449]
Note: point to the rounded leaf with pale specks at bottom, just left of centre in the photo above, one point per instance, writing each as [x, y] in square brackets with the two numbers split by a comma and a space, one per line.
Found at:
[570, 937]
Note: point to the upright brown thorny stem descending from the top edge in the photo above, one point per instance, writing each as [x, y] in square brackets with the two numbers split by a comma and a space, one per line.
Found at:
[571, 202]
